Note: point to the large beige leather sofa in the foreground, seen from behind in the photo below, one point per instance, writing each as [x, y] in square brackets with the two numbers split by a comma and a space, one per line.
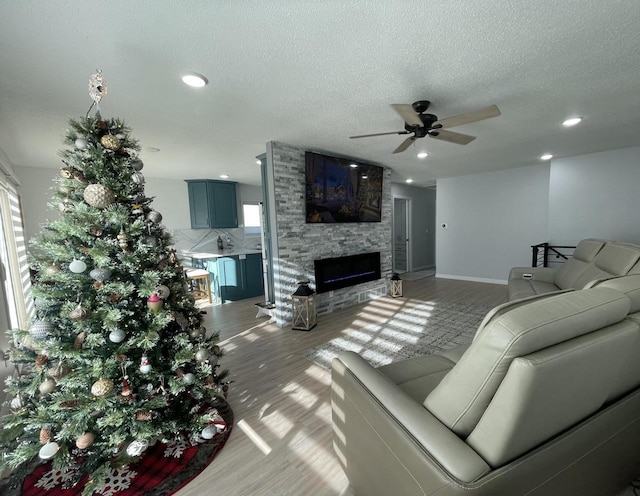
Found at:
[544, 401]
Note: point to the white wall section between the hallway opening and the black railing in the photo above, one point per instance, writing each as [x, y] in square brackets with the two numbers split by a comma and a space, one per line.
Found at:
[492, 220]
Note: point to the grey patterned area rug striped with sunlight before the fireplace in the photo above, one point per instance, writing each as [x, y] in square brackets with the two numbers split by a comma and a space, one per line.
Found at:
[418, 328]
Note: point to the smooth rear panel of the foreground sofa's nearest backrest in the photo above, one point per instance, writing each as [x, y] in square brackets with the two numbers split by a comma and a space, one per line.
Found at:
[551, 390]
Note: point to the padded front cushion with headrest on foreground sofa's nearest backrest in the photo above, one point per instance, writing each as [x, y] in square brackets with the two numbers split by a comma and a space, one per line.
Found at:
[461, 398]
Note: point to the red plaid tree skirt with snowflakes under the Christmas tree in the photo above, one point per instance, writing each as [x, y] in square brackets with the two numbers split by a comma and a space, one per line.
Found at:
[162, 470]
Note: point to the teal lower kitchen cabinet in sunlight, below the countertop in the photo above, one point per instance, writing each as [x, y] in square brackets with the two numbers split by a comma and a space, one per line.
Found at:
[236, 277]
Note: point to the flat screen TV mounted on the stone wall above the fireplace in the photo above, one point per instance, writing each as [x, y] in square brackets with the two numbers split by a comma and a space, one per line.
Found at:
[342, 190]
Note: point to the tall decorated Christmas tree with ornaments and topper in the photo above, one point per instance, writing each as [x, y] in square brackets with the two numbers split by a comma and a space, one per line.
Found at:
[116, 357]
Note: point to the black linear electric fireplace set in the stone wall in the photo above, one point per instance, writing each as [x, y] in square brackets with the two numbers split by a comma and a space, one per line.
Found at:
[341, 272]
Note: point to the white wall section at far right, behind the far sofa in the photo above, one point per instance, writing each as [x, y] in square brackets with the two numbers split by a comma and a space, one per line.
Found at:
[595, 195]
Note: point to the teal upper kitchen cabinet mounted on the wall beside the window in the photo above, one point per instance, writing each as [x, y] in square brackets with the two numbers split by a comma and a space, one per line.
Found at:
[212, 204]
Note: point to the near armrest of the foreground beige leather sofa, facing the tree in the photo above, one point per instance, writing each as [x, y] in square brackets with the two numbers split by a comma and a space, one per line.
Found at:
[369, 406]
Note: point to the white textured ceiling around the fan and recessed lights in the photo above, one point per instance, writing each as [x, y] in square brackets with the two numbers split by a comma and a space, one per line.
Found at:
[313, 73]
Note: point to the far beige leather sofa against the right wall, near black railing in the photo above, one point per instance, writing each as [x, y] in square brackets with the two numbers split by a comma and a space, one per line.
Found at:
[593, 259]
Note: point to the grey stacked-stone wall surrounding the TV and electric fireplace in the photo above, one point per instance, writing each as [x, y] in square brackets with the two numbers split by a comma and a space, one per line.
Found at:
[296, 244]
